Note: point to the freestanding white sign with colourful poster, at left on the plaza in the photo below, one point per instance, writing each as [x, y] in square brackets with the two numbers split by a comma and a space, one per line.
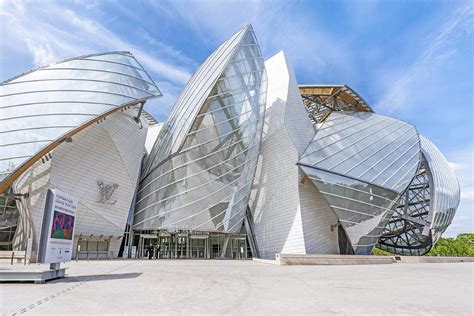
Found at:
[57, 233]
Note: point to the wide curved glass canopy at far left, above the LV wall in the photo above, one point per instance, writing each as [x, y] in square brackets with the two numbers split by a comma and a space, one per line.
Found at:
[39, 106]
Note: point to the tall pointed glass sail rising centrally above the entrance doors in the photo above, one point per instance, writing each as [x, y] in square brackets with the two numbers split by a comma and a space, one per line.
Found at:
[199, 173]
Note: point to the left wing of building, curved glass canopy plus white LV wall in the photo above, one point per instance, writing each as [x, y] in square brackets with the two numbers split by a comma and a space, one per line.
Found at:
[75, 126]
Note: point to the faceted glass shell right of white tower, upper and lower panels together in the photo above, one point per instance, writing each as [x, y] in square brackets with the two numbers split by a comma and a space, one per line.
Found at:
[361, 162]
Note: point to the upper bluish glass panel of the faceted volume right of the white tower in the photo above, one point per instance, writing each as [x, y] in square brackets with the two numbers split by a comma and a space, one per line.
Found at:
[369, 147]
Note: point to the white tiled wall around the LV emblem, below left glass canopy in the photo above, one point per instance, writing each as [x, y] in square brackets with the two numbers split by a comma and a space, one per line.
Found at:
[110, 152]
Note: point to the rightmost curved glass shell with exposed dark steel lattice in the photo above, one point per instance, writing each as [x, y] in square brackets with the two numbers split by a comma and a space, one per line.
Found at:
[426, 208]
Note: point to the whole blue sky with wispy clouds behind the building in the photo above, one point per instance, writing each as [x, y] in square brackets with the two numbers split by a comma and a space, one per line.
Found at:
[410, 59]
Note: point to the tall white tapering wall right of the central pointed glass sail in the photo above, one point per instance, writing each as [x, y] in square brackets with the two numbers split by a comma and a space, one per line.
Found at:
[289, 216]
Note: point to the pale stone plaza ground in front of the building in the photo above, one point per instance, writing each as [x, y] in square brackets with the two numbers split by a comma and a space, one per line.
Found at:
[245, 287]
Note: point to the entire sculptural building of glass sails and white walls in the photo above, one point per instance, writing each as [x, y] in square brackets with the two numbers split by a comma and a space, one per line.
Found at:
[248, 162]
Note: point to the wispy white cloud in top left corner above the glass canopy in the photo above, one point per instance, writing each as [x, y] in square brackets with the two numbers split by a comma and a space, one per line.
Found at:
[51, 31]
